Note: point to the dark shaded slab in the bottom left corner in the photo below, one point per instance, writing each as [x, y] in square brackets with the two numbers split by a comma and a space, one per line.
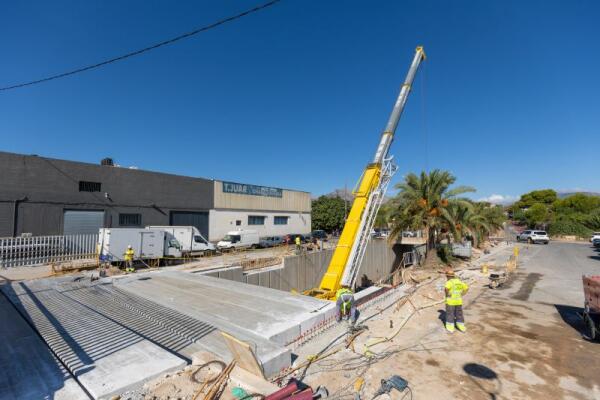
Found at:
[28, 369]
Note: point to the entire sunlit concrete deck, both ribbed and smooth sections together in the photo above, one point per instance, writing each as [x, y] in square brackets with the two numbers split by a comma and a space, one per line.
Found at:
[113, 334]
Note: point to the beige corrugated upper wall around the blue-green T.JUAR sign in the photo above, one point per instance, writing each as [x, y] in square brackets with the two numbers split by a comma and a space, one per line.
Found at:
[290, 201]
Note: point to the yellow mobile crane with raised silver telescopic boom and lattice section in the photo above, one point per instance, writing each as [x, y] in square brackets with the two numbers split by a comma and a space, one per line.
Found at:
[368, 196]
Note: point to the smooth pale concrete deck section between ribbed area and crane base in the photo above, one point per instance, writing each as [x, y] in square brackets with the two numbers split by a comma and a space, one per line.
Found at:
[266, 318]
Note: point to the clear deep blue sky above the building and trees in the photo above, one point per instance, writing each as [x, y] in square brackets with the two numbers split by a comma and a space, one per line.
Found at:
[296, 96]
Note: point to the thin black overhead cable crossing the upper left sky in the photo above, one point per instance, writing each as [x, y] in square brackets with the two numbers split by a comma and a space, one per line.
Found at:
[145, 49]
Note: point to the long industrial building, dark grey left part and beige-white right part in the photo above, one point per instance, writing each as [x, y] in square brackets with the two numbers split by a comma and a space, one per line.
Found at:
[44, 196]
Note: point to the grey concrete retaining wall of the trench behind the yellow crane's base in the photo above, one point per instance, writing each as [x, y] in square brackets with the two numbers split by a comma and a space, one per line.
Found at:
[305, 271]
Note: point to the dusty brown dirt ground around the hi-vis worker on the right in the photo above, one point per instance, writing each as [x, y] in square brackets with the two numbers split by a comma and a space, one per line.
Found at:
[514, 348]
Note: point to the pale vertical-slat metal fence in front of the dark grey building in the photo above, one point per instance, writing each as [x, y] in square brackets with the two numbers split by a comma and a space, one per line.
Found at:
[38, 250]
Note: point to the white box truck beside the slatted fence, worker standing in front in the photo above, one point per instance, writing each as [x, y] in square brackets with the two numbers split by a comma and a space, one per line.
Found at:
[146, 243]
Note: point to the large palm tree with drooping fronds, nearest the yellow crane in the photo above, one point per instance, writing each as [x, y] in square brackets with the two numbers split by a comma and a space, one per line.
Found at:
[422, 202]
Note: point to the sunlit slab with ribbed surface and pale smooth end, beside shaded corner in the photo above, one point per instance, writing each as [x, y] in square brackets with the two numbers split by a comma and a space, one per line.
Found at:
[106, 356]
